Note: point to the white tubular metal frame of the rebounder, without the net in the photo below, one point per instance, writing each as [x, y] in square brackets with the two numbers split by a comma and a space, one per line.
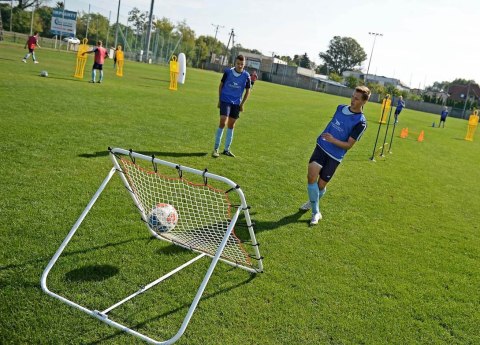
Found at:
[103, 315]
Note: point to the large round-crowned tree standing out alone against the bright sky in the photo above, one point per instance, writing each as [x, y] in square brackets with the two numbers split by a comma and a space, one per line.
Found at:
[343, 54]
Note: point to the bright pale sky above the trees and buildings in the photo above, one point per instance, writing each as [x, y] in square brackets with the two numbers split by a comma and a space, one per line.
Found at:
[422, 41]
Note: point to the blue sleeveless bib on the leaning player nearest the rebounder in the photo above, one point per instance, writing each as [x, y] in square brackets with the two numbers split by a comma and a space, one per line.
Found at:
[343, 125]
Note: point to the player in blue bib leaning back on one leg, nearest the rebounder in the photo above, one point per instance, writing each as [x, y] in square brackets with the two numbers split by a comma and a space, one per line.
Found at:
[342, 132]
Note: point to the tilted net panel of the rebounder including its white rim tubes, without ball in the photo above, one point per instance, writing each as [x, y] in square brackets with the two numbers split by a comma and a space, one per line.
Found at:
[203, 211]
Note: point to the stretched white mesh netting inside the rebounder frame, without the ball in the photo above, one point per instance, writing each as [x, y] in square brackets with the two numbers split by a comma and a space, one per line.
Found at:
[204, 212]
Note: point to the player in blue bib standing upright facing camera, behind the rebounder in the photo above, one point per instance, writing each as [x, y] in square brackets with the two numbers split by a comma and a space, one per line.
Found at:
[232, 86]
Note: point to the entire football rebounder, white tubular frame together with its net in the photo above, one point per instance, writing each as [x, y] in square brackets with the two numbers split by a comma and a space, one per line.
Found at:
[204, 221]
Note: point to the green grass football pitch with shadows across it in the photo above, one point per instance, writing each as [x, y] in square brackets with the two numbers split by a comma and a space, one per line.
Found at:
[396, 259]
